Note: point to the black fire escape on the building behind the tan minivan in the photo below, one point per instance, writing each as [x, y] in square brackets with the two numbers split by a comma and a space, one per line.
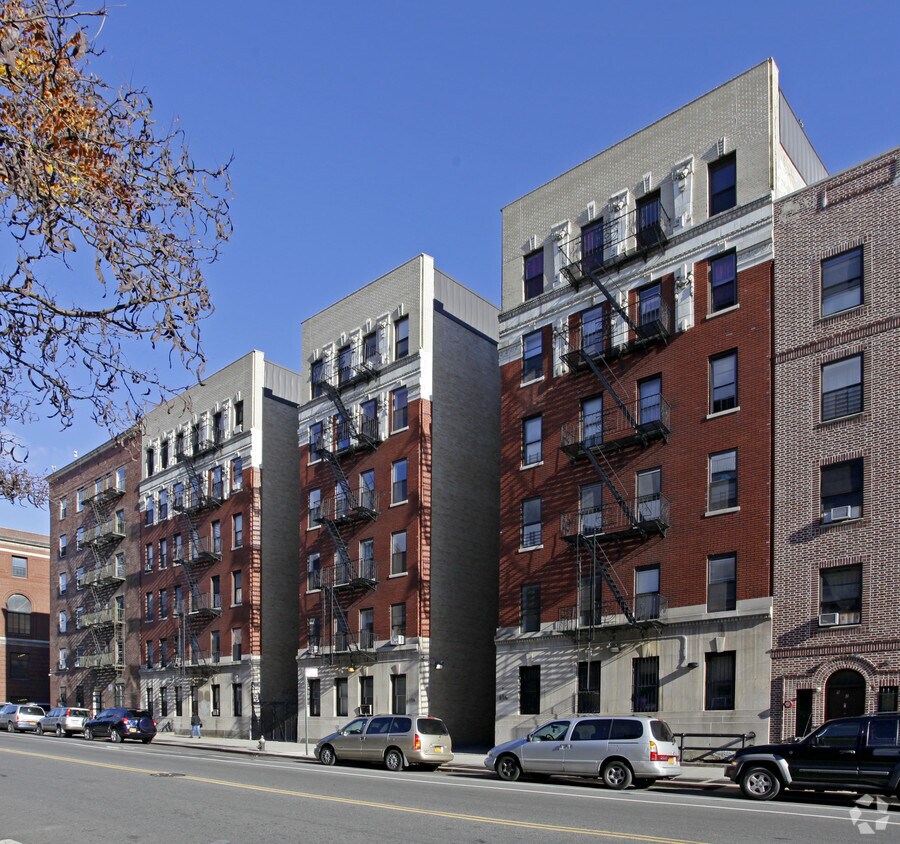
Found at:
[346, 435]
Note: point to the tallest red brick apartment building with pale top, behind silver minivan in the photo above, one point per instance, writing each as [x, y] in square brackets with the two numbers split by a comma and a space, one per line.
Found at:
[635, 349]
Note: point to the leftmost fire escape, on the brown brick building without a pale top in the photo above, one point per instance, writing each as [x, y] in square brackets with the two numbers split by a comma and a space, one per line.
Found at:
[102, 646]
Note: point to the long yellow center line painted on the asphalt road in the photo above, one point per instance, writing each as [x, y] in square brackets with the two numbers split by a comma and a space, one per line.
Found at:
[352, 801]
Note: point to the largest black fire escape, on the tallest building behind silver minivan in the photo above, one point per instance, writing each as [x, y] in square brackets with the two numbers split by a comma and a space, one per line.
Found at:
[614, 330]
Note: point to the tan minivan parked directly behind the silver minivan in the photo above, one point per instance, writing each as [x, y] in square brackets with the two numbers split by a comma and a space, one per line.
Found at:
[396, 740]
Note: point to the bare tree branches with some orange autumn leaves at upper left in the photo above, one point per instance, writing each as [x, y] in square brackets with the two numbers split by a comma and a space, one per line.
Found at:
[84, 169]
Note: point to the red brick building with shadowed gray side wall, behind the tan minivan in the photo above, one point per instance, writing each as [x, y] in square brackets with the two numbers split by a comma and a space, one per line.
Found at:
[399, 459]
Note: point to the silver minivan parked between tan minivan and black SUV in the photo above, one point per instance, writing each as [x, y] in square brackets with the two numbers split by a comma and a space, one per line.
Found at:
[622, 750]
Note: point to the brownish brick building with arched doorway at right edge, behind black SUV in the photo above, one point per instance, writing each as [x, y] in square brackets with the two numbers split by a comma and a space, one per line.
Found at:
[836, 649]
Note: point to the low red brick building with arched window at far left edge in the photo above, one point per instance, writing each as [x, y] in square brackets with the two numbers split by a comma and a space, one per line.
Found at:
[24, 622]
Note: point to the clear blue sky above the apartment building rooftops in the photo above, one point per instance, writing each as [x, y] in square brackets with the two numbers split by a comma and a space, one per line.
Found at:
[365, 133]
